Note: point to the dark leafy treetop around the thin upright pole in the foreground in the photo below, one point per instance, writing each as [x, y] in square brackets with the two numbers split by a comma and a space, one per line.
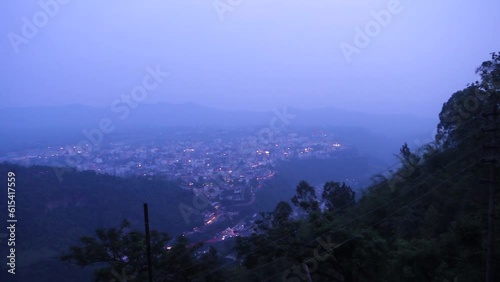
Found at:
[120, 254]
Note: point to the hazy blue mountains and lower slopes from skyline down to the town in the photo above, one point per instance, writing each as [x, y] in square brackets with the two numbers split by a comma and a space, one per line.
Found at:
[376, 134]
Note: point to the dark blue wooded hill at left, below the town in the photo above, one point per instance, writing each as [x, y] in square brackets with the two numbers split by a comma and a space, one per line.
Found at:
[54, 214]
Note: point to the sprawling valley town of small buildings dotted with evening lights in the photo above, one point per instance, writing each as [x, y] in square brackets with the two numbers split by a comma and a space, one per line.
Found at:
[229, 168]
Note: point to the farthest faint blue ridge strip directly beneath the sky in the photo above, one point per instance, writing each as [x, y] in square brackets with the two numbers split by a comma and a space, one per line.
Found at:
[191, 114]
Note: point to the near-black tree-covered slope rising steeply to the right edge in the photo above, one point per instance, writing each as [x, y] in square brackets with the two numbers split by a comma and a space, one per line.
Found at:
[426, 221]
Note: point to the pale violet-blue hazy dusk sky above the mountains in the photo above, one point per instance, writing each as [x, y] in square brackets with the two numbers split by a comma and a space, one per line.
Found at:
[246, 54]
